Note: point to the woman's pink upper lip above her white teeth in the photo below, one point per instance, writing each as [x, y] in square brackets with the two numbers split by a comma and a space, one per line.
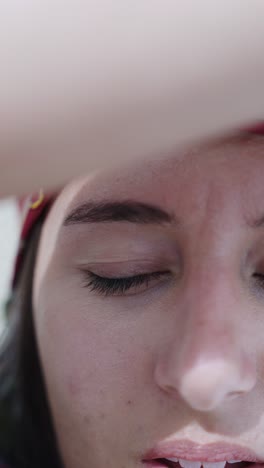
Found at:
[214, 452]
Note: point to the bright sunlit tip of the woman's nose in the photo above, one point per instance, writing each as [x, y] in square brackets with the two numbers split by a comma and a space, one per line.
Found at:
[209, 384]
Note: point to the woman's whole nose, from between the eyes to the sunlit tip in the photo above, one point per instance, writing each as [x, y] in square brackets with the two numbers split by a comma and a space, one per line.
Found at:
[207, 361]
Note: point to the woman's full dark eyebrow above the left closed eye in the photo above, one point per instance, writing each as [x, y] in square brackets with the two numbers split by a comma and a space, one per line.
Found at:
[114, 211]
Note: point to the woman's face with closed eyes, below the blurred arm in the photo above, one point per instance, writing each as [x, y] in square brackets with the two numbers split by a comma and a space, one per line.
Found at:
[177, 353]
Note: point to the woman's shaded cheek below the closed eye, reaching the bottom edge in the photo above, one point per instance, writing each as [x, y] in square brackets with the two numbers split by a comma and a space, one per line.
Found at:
[95, 373]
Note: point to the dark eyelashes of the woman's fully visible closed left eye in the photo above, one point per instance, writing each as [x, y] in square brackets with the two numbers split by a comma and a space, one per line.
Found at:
[118, 286]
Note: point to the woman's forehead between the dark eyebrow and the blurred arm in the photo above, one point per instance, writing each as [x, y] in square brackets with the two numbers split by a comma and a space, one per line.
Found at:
[230, 166]
